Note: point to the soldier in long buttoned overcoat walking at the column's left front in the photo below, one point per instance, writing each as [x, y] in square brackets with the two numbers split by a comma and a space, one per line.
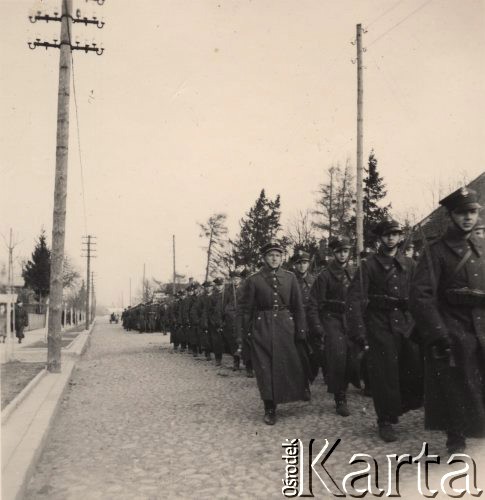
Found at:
[274, 305]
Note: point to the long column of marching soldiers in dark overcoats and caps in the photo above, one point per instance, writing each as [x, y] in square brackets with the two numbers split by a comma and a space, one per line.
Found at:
[413, 332]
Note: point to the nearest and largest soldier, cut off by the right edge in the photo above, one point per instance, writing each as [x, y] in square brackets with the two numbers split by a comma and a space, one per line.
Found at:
[448, 302]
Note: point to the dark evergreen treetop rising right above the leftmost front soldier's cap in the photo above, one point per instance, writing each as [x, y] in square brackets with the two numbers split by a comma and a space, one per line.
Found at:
[261, 224]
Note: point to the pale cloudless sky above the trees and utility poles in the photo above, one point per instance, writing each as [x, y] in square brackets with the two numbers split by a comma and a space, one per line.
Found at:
[196, 105]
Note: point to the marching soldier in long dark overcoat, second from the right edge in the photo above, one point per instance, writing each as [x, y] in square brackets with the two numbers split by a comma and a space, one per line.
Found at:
[378, 317]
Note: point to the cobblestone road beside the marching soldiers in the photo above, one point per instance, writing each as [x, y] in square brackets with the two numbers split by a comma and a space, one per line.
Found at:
[139, 422]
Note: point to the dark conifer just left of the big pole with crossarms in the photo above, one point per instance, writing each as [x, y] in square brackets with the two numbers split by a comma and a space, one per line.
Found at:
[36, 272]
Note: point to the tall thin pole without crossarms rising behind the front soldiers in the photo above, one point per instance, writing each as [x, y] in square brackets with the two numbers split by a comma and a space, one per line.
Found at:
[360, 139]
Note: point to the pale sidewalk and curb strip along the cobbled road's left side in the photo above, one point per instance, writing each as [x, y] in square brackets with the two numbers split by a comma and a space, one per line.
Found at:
[24, 436]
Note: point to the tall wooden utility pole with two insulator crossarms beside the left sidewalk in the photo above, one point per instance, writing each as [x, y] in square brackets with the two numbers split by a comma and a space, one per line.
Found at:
[54, 335]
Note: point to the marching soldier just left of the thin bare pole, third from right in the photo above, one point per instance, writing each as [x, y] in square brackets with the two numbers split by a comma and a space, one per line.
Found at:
[327, 322]
